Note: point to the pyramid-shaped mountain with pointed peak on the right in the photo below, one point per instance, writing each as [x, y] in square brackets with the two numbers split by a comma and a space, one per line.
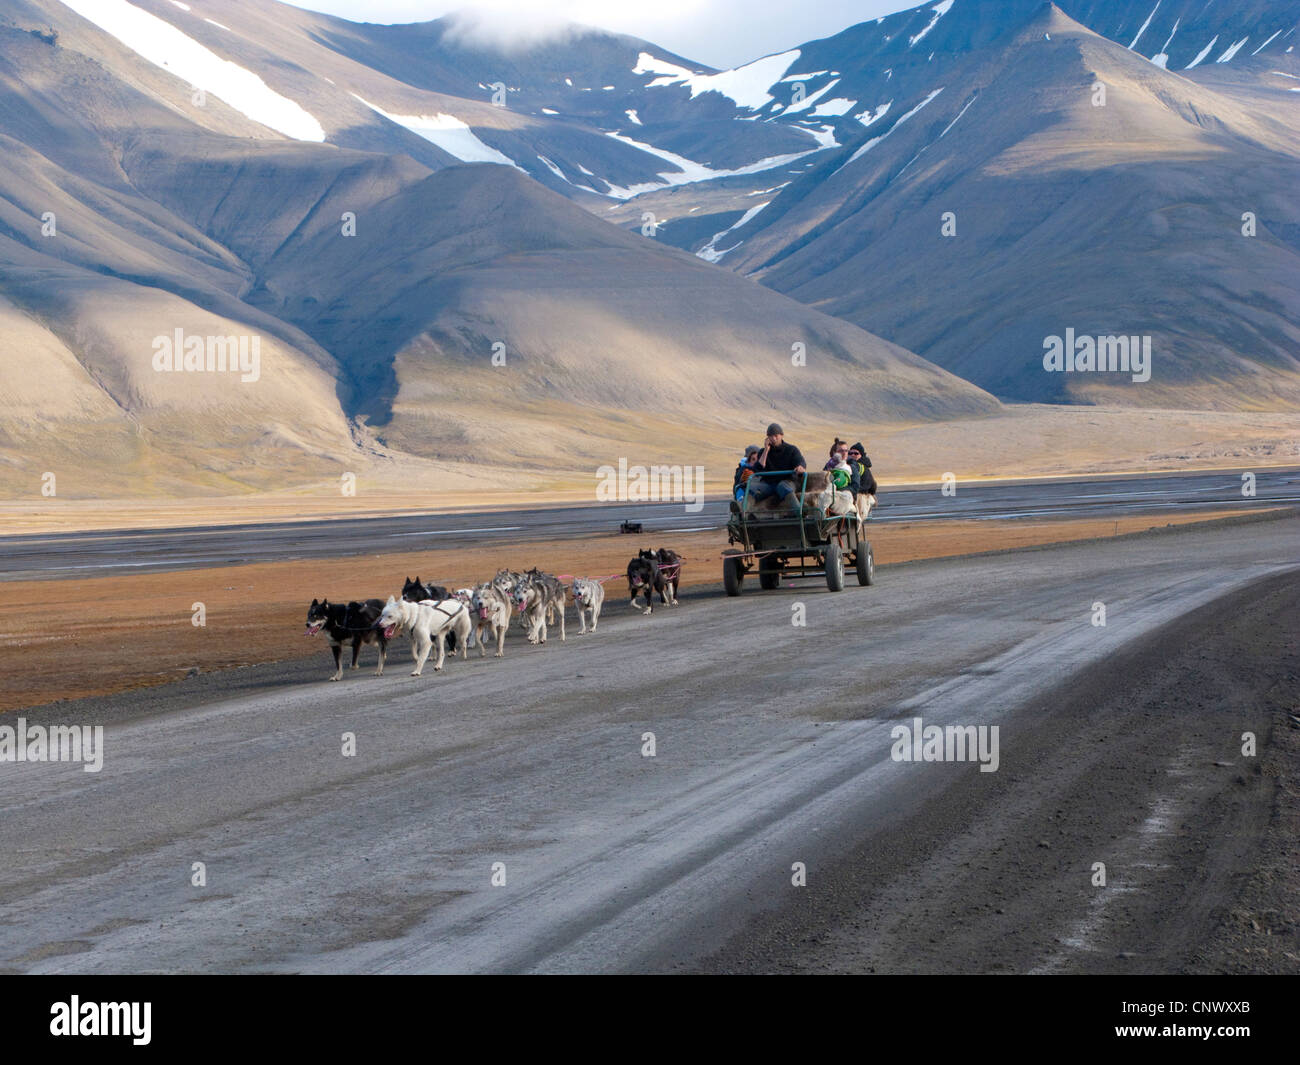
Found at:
[1119, 218]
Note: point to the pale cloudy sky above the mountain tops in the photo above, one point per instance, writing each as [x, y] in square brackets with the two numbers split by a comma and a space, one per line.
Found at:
[718, 33]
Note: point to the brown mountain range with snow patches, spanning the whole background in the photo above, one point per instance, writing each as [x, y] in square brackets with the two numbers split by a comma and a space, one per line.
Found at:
[463, 258]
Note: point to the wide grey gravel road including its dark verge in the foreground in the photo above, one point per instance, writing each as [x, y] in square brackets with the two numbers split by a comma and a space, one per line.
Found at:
[773, 748]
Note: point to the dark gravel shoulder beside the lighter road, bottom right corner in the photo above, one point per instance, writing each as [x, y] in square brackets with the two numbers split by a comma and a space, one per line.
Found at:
[1141, 769]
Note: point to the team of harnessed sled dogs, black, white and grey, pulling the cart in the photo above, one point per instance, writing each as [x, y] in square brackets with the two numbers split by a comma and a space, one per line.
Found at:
[452, 621]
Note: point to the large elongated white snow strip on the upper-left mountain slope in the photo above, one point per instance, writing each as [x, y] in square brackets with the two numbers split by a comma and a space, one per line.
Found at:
[166, 46]
